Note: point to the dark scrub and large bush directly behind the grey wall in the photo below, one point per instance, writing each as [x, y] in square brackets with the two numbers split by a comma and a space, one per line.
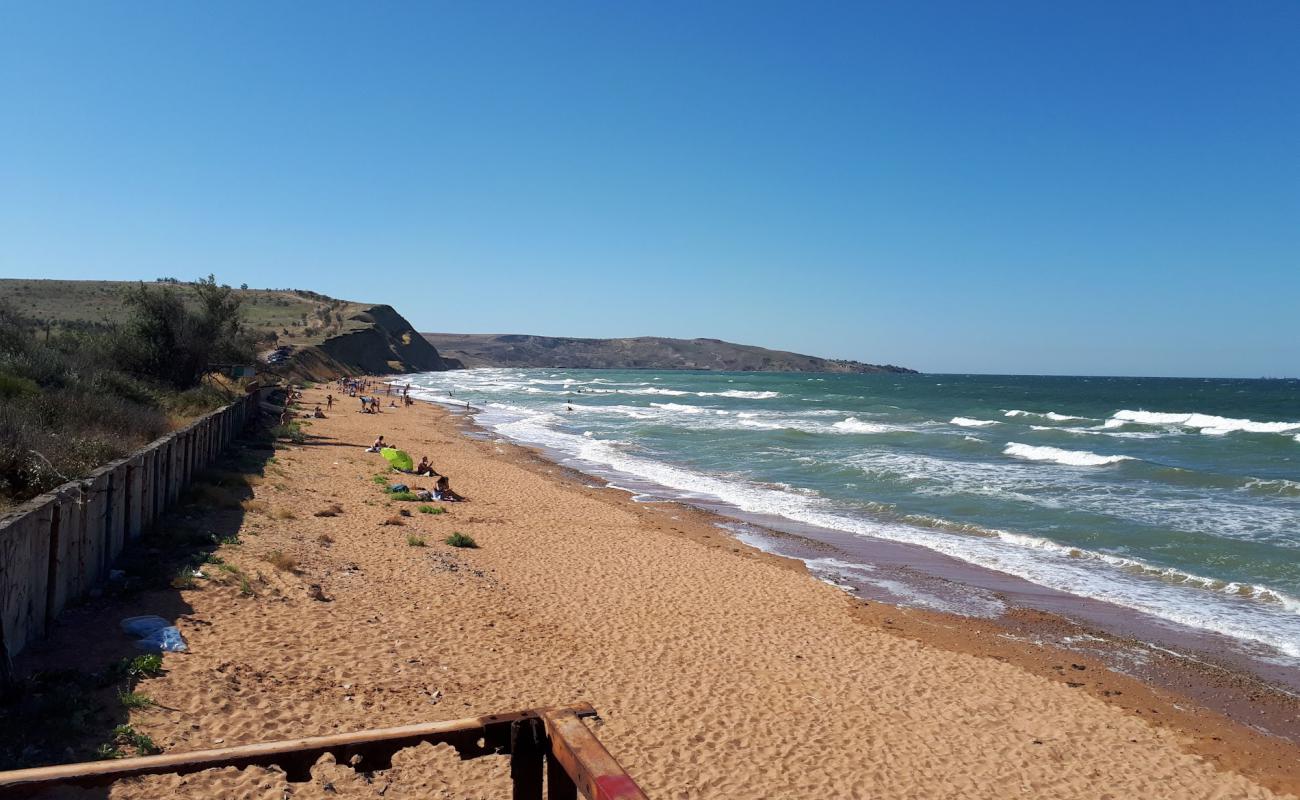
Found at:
[79, 393]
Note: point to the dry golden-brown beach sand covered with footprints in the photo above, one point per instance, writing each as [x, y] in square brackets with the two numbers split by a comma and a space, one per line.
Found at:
[720, 672]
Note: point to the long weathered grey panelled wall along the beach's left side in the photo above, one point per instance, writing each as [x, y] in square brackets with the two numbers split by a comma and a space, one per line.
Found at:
[57, 548]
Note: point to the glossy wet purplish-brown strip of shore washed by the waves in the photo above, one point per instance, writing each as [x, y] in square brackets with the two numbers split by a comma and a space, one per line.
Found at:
[1190, 661]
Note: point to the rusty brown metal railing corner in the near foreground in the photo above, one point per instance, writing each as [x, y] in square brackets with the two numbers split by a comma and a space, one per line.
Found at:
[552, 741]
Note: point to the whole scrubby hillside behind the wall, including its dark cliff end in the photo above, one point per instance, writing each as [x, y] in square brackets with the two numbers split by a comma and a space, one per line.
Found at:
[93, 370]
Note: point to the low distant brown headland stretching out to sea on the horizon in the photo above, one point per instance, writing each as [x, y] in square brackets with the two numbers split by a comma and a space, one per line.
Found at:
[639, 353]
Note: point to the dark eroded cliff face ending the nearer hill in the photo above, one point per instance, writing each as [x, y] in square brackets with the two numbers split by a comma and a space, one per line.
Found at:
[385, 344]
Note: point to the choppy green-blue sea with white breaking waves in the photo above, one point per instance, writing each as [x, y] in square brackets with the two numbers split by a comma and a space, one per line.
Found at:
[1177, 500]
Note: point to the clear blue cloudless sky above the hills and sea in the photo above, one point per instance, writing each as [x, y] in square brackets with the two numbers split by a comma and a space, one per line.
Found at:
[1072, 188]
